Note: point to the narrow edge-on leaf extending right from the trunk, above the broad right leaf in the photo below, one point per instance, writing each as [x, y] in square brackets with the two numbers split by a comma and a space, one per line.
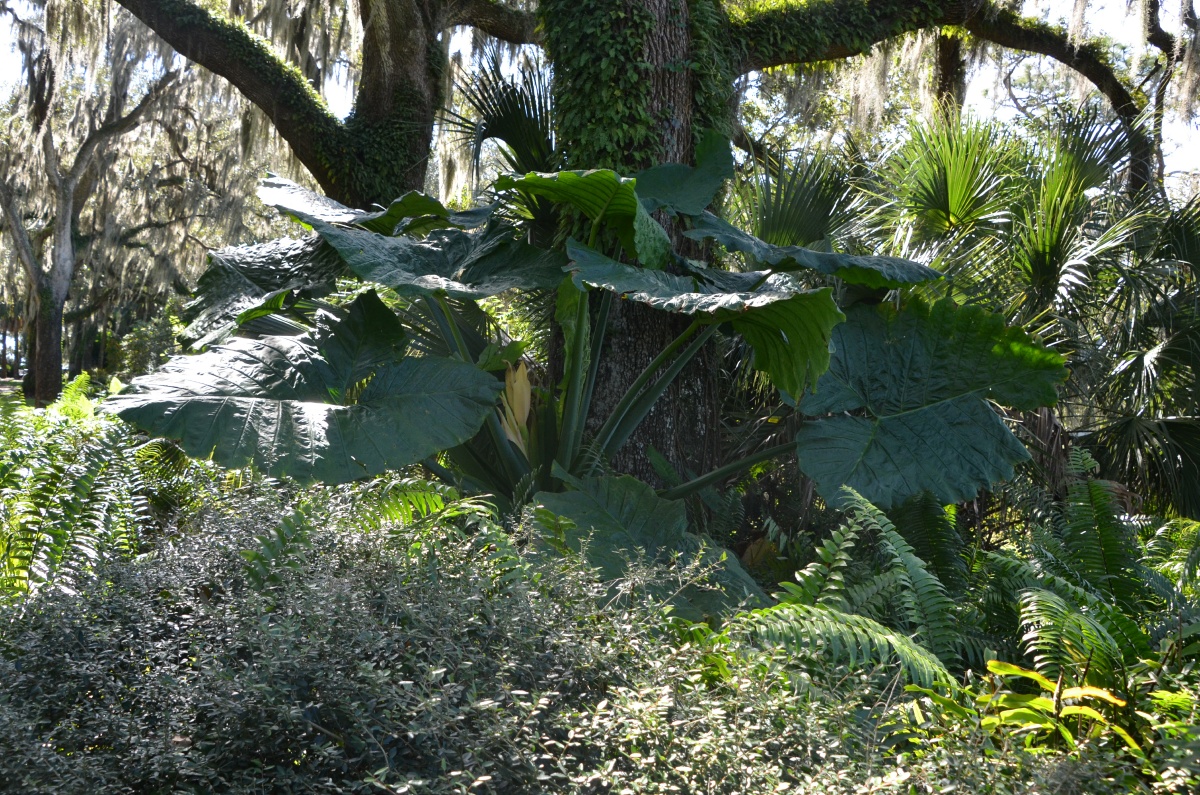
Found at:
[871, 272]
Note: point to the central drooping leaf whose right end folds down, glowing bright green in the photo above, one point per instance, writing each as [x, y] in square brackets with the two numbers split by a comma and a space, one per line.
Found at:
[789, 328]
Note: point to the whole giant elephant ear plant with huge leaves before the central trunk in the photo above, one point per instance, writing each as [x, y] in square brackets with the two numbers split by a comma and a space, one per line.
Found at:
[901, 399]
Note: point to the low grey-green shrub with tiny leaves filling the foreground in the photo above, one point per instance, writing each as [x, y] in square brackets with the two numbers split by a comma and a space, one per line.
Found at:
[429, 659]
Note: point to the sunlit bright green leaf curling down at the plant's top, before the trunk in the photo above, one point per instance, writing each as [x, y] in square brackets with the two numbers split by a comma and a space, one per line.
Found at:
[603, 196]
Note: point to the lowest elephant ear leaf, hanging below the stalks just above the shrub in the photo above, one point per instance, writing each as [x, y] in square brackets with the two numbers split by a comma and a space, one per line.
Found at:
[617, 519]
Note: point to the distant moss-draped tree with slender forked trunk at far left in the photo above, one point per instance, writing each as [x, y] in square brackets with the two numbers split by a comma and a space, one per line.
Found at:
[117, 172]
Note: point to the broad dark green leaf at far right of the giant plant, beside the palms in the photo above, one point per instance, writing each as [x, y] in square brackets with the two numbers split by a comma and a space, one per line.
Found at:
[919, 384]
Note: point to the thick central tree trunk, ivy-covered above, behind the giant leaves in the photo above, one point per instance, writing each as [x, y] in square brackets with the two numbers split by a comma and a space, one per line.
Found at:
[631, 92]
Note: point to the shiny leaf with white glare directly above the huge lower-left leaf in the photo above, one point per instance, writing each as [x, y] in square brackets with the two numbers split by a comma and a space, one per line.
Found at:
[242, 278]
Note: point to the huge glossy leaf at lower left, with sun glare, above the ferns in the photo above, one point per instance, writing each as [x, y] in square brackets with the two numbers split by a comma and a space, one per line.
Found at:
[333, 407]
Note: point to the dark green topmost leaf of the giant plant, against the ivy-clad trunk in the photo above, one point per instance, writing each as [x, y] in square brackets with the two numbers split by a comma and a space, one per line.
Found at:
[686, 189]
